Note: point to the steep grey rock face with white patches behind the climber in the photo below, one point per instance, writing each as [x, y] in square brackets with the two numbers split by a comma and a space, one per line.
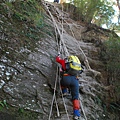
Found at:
[27, 75]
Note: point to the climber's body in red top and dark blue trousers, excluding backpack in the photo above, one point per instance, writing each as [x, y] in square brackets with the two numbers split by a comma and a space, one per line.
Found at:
[70, 81]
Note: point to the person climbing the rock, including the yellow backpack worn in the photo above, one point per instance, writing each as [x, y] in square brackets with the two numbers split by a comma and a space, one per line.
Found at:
[70, 80]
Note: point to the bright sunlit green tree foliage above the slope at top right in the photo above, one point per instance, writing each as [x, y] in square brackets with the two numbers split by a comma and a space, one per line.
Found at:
[99, 11]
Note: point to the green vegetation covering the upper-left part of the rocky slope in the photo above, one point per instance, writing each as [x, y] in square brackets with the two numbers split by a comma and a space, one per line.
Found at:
[25, 22]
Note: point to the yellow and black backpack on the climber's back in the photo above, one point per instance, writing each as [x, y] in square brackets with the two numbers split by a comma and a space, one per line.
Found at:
[73, 65]
